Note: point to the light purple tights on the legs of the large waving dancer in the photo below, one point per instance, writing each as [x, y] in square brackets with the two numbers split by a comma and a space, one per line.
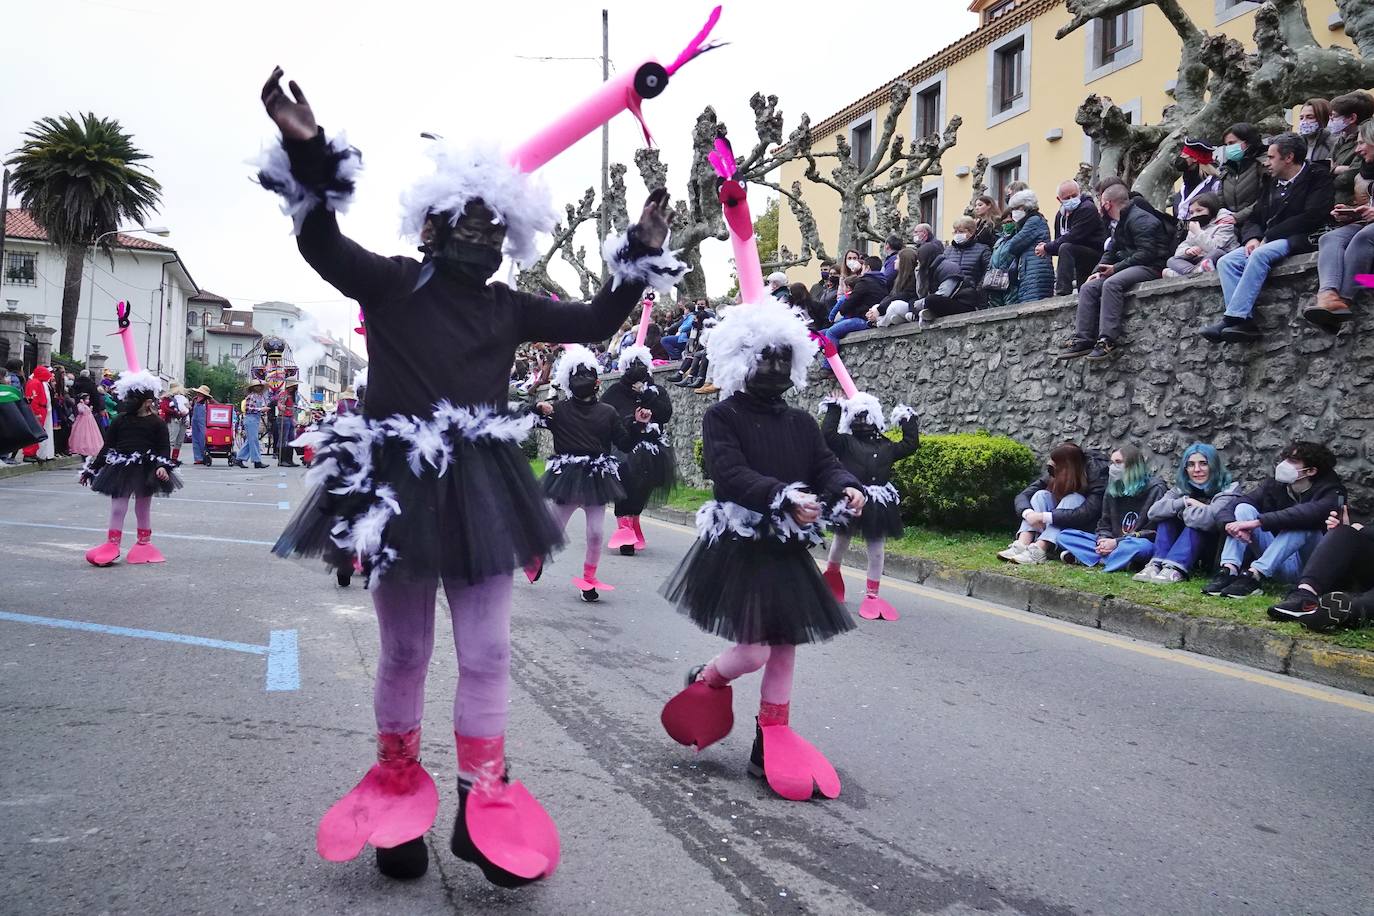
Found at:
[482, 617]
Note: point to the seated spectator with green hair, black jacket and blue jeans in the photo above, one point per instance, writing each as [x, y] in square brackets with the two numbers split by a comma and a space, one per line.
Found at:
[1123, 538]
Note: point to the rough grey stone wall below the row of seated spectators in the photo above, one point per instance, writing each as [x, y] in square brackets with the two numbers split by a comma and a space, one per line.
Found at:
[1166, 389]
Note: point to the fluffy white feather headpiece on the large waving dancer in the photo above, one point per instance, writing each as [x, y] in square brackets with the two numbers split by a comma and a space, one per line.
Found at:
[520, 201]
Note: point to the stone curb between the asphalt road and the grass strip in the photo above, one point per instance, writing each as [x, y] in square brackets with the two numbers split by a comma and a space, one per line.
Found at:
[1347, 669]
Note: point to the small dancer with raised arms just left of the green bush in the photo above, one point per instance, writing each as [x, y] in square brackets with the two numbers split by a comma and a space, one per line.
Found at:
[854, 429]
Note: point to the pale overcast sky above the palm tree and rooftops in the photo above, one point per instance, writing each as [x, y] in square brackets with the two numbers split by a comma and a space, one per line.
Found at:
[183, 78]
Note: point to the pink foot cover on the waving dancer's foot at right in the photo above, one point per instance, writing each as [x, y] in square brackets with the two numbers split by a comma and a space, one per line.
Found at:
[513, 832]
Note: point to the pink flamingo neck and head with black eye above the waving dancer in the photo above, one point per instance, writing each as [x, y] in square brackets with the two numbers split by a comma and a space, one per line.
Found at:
[623, 94]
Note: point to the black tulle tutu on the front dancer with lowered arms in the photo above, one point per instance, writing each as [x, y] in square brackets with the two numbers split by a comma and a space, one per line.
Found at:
[759, 591]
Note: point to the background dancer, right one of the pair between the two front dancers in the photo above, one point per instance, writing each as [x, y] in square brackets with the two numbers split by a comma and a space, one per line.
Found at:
[649, 468]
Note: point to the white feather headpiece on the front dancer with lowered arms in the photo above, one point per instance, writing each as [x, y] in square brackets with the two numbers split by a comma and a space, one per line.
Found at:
[745, 333]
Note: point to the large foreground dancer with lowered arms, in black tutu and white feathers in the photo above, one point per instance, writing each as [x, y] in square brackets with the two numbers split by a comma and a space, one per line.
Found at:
[750, 576]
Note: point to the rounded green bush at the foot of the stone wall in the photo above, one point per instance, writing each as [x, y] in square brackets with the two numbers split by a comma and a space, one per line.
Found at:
[965, 481]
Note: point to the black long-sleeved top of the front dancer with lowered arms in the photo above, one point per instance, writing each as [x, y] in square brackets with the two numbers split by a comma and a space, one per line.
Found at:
[758, 448]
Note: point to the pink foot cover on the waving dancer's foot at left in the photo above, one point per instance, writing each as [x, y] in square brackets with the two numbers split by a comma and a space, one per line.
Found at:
[395, 804]
